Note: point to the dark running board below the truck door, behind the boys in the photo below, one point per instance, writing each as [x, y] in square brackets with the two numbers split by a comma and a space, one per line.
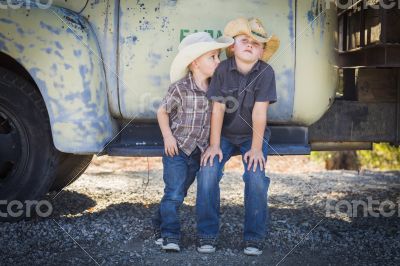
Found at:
[145, 140]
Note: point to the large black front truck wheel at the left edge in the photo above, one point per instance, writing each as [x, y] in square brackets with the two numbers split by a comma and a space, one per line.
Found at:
[27, 153]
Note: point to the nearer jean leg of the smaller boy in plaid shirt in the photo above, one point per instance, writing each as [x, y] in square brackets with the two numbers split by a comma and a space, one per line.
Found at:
[175, 179]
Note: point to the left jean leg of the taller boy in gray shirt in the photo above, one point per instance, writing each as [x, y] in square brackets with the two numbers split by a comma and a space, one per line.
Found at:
[208, 193]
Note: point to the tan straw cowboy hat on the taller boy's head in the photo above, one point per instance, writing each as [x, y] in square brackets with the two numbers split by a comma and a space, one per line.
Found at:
[253, 28]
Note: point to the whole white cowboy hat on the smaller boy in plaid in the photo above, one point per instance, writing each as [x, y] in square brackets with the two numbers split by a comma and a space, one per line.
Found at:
[192, 47]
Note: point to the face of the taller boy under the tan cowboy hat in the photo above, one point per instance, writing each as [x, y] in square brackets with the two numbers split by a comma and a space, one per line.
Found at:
[247, 49]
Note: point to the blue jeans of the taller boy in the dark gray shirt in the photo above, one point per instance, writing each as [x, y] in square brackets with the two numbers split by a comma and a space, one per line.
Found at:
[255, 195]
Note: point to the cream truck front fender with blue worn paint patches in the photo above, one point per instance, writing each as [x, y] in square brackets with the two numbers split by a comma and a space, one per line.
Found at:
[59, 50]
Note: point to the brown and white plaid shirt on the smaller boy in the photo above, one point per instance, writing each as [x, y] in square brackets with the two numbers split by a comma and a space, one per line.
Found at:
[189, 114]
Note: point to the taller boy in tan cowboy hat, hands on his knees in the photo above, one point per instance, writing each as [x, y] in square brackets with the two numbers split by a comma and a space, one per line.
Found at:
[241, 89]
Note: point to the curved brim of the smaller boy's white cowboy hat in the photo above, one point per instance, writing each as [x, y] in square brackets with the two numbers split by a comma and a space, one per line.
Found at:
[182, 60]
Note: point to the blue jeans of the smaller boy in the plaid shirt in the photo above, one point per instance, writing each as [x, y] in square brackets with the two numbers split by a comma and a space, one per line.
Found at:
[179, 173]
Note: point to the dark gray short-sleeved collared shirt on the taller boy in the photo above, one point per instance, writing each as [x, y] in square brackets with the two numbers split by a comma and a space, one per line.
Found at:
[239, 92]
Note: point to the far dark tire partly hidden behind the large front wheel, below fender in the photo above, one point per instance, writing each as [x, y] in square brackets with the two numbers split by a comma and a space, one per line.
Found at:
[70, 168]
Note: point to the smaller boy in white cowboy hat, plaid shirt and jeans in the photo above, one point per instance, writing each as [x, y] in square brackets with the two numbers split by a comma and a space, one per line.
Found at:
[184, 120]
